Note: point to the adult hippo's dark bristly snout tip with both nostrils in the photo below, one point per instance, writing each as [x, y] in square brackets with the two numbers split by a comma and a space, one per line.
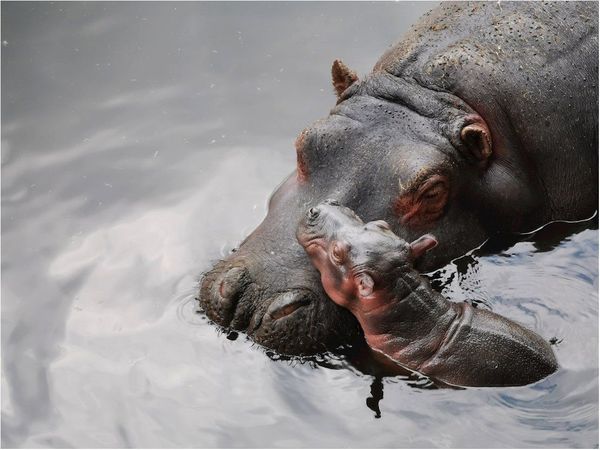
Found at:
[291, 314]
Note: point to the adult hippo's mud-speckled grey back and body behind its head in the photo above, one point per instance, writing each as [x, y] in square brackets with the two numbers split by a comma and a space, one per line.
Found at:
[531, 70]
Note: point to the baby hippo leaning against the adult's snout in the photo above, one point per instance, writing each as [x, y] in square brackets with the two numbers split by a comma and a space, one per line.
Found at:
[369, 270]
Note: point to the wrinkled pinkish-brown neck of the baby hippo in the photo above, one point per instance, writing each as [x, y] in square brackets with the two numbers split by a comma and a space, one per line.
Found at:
[409, 321]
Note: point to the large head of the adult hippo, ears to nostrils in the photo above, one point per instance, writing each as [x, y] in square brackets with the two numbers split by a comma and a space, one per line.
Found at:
[391, 150]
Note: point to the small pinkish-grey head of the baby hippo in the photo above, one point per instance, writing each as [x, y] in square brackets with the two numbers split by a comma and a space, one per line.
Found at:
[358, 261]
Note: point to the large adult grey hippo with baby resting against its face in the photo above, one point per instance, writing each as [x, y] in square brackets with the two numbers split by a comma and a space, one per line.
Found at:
[483, 119]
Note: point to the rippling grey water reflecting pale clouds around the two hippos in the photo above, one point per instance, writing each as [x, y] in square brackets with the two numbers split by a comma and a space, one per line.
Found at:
[140, 143]
